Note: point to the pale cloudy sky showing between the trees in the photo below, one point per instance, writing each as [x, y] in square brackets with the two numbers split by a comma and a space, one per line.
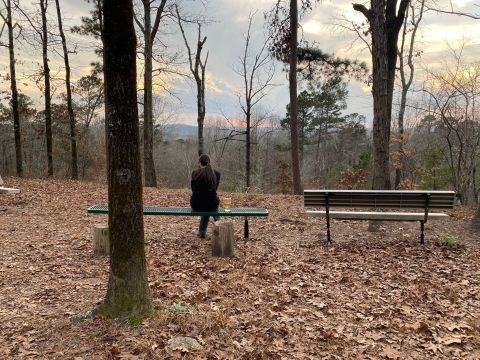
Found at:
[225, 43]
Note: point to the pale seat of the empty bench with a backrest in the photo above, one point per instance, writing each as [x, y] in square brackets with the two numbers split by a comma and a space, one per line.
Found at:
[372, 215]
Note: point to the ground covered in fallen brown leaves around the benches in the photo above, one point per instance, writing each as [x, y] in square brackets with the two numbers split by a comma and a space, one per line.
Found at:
[284, 295]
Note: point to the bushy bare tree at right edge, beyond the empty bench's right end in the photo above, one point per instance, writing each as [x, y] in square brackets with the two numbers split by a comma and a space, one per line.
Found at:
[453, 93]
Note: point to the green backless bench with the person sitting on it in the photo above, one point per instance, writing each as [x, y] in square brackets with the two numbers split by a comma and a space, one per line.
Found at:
[187, 211]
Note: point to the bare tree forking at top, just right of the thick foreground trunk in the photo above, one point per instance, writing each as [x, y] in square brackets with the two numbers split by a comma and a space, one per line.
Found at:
[149, 31]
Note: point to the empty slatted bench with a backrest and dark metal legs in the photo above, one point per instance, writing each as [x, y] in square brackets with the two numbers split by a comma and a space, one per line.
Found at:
[379, 200]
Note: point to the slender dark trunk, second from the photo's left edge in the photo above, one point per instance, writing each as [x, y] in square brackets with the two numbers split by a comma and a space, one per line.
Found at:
[48, 99]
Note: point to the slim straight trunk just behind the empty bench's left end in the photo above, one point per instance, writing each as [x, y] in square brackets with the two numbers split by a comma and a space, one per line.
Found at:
[292, 80]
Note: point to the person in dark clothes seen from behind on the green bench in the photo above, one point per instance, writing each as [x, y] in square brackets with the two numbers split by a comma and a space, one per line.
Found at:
[204, 197]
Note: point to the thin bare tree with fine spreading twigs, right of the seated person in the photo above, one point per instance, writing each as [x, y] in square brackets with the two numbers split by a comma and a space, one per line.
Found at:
[257, 72]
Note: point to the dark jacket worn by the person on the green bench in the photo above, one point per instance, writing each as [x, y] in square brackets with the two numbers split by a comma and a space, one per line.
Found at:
[203, 198]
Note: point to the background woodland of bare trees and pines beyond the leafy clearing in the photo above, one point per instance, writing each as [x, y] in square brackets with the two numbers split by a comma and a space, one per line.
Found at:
[434, 142]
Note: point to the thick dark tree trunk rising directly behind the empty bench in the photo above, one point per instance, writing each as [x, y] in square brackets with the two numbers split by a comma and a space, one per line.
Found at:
[381, 97]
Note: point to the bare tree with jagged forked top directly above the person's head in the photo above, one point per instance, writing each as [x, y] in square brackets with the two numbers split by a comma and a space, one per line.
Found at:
[197, 68]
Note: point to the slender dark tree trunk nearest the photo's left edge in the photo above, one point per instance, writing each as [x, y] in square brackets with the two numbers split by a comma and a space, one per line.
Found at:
[13, 84]
